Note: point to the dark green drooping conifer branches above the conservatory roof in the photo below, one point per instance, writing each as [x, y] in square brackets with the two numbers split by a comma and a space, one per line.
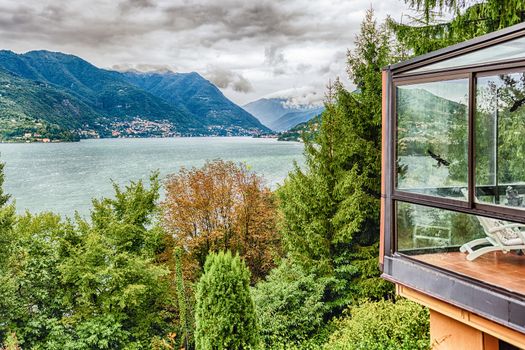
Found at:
[428, 31]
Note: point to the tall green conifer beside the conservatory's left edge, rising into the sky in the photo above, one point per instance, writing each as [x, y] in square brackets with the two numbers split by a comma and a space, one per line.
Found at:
[331, 210]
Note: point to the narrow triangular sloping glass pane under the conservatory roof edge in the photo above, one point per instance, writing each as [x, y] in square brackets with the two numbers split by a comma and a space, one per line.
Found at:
[509, 50]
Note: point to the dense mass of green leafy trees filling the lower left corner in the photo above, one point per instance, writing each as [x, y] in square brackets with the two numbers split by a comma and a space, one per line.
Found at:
[77, 285]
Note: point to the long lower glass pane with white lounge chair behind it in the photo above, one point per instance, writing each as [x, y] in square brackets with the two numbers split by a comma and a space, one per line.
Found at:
[481, 248]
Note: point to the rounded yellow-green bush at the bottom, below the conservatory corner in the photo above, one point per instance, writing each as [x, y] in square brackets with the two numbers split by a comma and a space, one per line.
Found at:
[382, 325]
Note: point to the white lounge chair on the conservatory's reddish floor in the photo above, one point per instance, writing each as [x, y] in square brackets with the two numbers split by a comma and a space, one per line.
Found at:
[500, 236]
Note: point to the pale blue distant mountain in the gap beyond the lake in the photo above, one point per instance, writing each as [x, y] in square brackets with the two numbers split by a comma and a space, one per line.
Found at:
[276, 114]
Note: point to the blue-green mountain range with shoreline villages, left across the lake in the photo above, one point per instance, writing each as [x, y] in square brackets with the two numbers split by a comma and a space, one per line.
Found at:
[56, 96]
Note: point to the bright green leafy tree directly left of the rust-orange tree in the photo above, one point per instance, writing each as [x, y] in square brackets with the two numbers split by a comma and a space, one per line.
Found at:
[118, 292]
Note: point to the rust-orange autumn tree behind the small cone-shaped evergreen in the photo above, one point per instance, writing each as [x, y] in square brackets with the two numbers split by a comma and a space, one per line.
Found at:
[221, 206]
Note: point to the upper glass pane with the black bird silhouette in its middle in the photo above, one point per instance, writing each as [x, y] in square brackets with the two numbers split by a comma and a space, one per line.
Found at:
[432, 138]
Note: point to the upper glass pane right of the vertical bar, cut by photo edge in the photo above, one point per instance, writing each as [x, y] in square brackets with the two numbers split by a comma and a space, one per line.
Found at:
[500, 140]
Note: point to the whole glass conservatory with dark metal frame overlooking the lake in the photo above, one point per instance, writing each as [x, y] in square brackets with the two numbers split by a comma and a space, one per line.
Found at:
[453, 189]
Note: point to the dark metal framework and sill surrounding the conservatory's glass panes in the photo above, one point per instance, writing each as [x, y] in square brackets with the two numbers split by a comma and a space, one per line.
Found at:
[490, 301]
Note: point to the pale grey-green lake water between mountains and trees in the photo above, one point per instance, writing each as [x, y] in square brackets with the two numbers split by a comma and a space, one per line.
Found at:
[63, 177]
